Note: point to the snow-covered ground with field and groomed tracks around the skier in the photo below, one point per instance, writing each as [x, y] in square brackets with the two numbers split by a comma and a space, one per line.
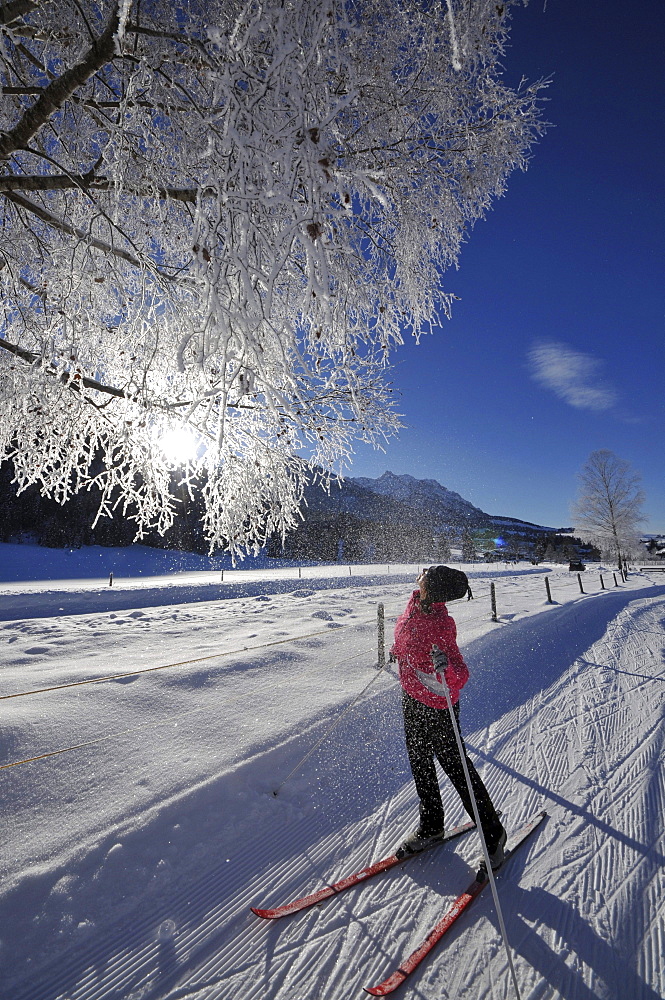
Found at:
[147, 726]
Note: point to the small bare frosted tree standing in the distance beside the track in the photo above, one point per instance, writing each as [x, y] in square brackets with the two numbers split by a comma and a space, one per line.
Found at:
[609, 503]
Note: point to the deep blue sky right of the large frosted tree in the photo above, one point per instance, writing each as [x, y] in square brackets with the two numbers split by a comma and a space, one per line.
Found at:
[557, 347]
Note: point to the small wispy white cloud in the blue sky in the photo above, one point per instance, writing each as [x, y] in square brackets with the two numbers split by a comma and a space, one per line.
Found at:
[573, 376]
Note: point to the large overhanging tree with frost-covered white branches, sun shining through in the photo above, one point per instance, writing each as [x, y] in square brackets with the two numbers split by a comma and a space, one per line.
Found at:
[219, 217]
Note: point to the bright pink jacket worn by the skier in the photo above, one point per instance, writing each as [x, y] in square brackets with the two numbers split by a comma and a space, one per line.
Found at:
[415, 634]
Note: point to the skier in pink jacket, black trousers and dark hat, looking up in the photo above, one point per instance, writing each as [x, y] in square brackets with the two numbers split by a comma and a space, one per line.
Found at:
[425, 648]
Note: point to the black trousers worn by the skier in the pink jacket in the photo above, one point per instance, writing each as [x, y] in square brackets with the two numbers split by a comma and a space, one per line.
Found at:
[429, 734]
